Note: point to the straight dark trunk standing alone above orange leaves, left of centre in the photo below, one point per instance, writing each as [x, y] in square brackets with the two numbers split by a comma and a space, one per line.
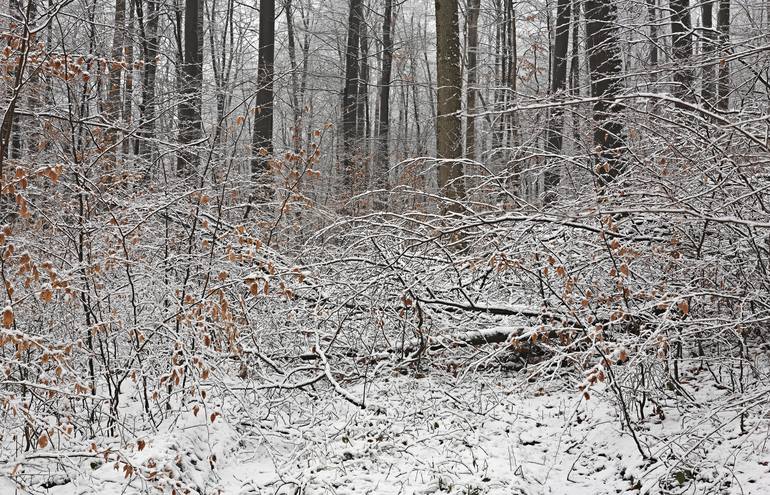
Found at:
[262, 139]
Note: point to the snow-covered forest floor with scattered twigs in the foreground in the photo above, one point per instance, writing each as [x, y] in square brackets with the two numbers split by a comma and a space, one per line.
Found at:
[484, 433]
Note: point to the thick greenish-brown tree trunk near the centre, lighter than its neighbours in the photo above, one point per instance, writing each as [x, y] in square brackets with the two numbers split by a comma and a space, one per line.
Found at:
[448, 122]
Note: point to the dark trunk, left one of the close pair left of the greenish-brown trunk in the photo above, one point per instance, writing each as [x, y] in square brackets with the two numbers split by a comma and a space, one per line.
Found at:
[350, 97]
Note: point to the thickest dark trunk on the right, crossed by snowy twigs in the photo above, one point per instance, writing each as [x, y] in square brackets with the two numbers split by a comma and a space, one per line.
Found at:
[605, 67]
